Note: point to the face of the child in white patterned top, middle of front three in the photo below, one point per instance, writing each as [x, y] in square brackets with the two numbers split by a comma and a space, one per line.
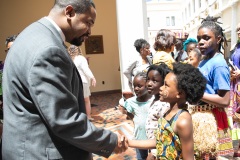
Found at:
[154, 82]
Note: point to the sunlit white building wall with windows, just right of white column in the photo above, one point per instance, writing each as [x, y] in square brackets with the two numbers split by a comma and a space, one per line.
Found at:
[164, 14]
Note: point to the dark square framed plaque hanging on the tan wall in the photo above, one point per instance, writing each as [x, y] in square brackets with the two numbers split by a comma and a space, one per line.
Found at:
[94, 44]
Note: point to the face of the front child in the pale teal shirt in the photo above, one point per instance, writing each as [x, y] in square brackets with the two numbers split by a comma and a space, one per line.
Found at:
[139, 85]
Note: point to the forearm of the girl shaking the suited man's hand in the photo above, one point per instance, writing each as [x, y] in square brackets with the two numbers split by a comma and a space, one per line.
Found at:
[142, 144]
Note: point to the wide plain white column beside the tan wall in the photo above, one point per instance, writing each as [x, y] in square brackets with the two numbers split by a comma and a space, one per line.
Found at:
[132, 24]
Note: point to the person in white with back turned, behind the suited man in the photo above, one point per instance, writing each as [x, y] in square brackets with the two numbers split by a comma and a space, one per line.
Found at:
[86, 74]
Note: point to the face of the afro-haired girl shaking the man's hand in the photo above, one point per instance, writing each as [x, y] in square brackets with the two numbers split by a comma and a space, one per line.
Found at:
[169, 92]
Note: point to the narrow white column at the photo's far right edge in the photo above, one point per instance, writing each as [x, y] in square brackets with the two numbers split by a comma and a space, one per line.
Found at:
[234, 24]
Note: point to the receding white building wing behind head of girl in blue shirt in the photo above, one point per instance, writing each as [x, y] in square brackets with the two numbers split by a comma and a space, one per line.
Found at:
[229, 10]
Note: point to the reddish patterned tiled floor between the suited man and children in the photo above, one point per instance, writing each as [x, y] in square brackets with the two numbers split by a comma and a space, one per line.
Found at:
[105, 115]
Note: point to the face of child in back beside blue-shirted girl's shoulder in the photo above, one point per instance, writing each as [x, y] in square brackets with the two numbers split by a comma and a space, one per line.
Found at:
[194, 57]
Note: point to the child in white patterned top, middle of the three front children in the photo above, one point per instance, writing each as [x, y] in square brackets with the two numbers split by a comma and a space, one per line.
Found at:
[155, 79]
